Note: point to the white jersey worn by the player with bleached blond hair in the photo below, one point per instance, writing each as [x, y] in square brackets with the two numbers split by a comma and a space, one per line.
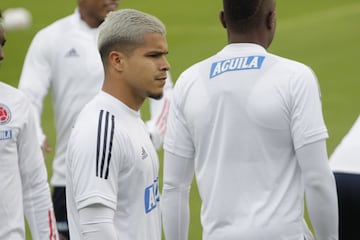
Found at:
[111, 161]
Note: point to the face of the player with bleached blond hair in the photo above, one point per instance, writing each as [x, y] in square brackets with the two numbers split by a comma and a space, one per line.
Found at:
[147, 66]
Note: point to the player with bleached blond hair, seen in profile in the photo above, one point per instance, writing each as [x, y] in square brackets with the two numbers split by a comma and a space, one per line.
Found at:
[112, 166]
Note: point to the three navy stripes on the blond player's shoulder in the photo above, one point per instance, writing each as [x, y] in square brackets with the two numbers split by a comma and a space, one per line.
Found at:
[104, 144]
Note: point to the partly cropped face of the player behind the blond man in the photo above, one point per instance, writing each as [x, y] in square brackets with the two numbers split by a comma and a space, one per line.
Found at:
[97, 10]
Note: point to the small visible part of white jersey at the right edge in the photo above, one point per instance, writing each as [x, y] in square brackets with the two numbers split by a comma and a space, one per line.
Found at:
[346, 156]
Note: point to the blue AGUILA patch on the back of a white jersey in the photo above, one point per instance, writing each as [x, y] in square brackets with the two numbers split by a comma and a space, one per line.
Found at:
[236, 64]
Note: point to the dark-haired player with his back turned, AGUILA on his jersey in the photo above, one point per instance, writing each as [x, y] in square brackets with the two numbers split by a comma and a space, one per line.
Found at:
[249, 125]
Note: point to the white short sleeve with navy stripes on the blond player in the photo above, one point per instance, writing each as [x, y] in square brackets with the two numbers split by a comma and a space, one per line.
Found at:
[94, 155]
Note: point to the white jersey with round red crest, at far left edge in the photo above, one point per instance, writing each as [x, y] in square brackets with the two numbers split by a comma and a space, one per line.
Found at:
[23, 177]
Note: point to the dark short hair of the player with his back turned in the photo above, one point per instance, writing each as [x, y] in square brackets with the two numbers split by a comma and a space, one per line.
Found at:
[243, 15]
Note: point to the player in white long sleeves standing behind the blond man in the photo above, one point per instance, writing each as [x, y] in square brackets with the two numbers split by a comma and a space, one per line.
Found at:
[64, 58]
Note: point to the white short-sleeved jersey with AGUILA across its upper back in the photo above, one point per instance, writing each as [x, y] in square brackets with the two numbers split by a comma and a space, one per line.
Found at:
[241, 115]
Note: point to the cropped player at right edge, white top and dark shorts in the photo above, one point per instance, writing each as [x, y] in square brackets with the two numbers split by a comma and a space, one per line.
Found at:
[345, 162]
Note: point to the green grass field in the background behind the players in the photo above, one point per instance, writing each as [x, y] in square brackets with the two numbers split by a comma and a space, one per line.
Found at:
[324, 34]
